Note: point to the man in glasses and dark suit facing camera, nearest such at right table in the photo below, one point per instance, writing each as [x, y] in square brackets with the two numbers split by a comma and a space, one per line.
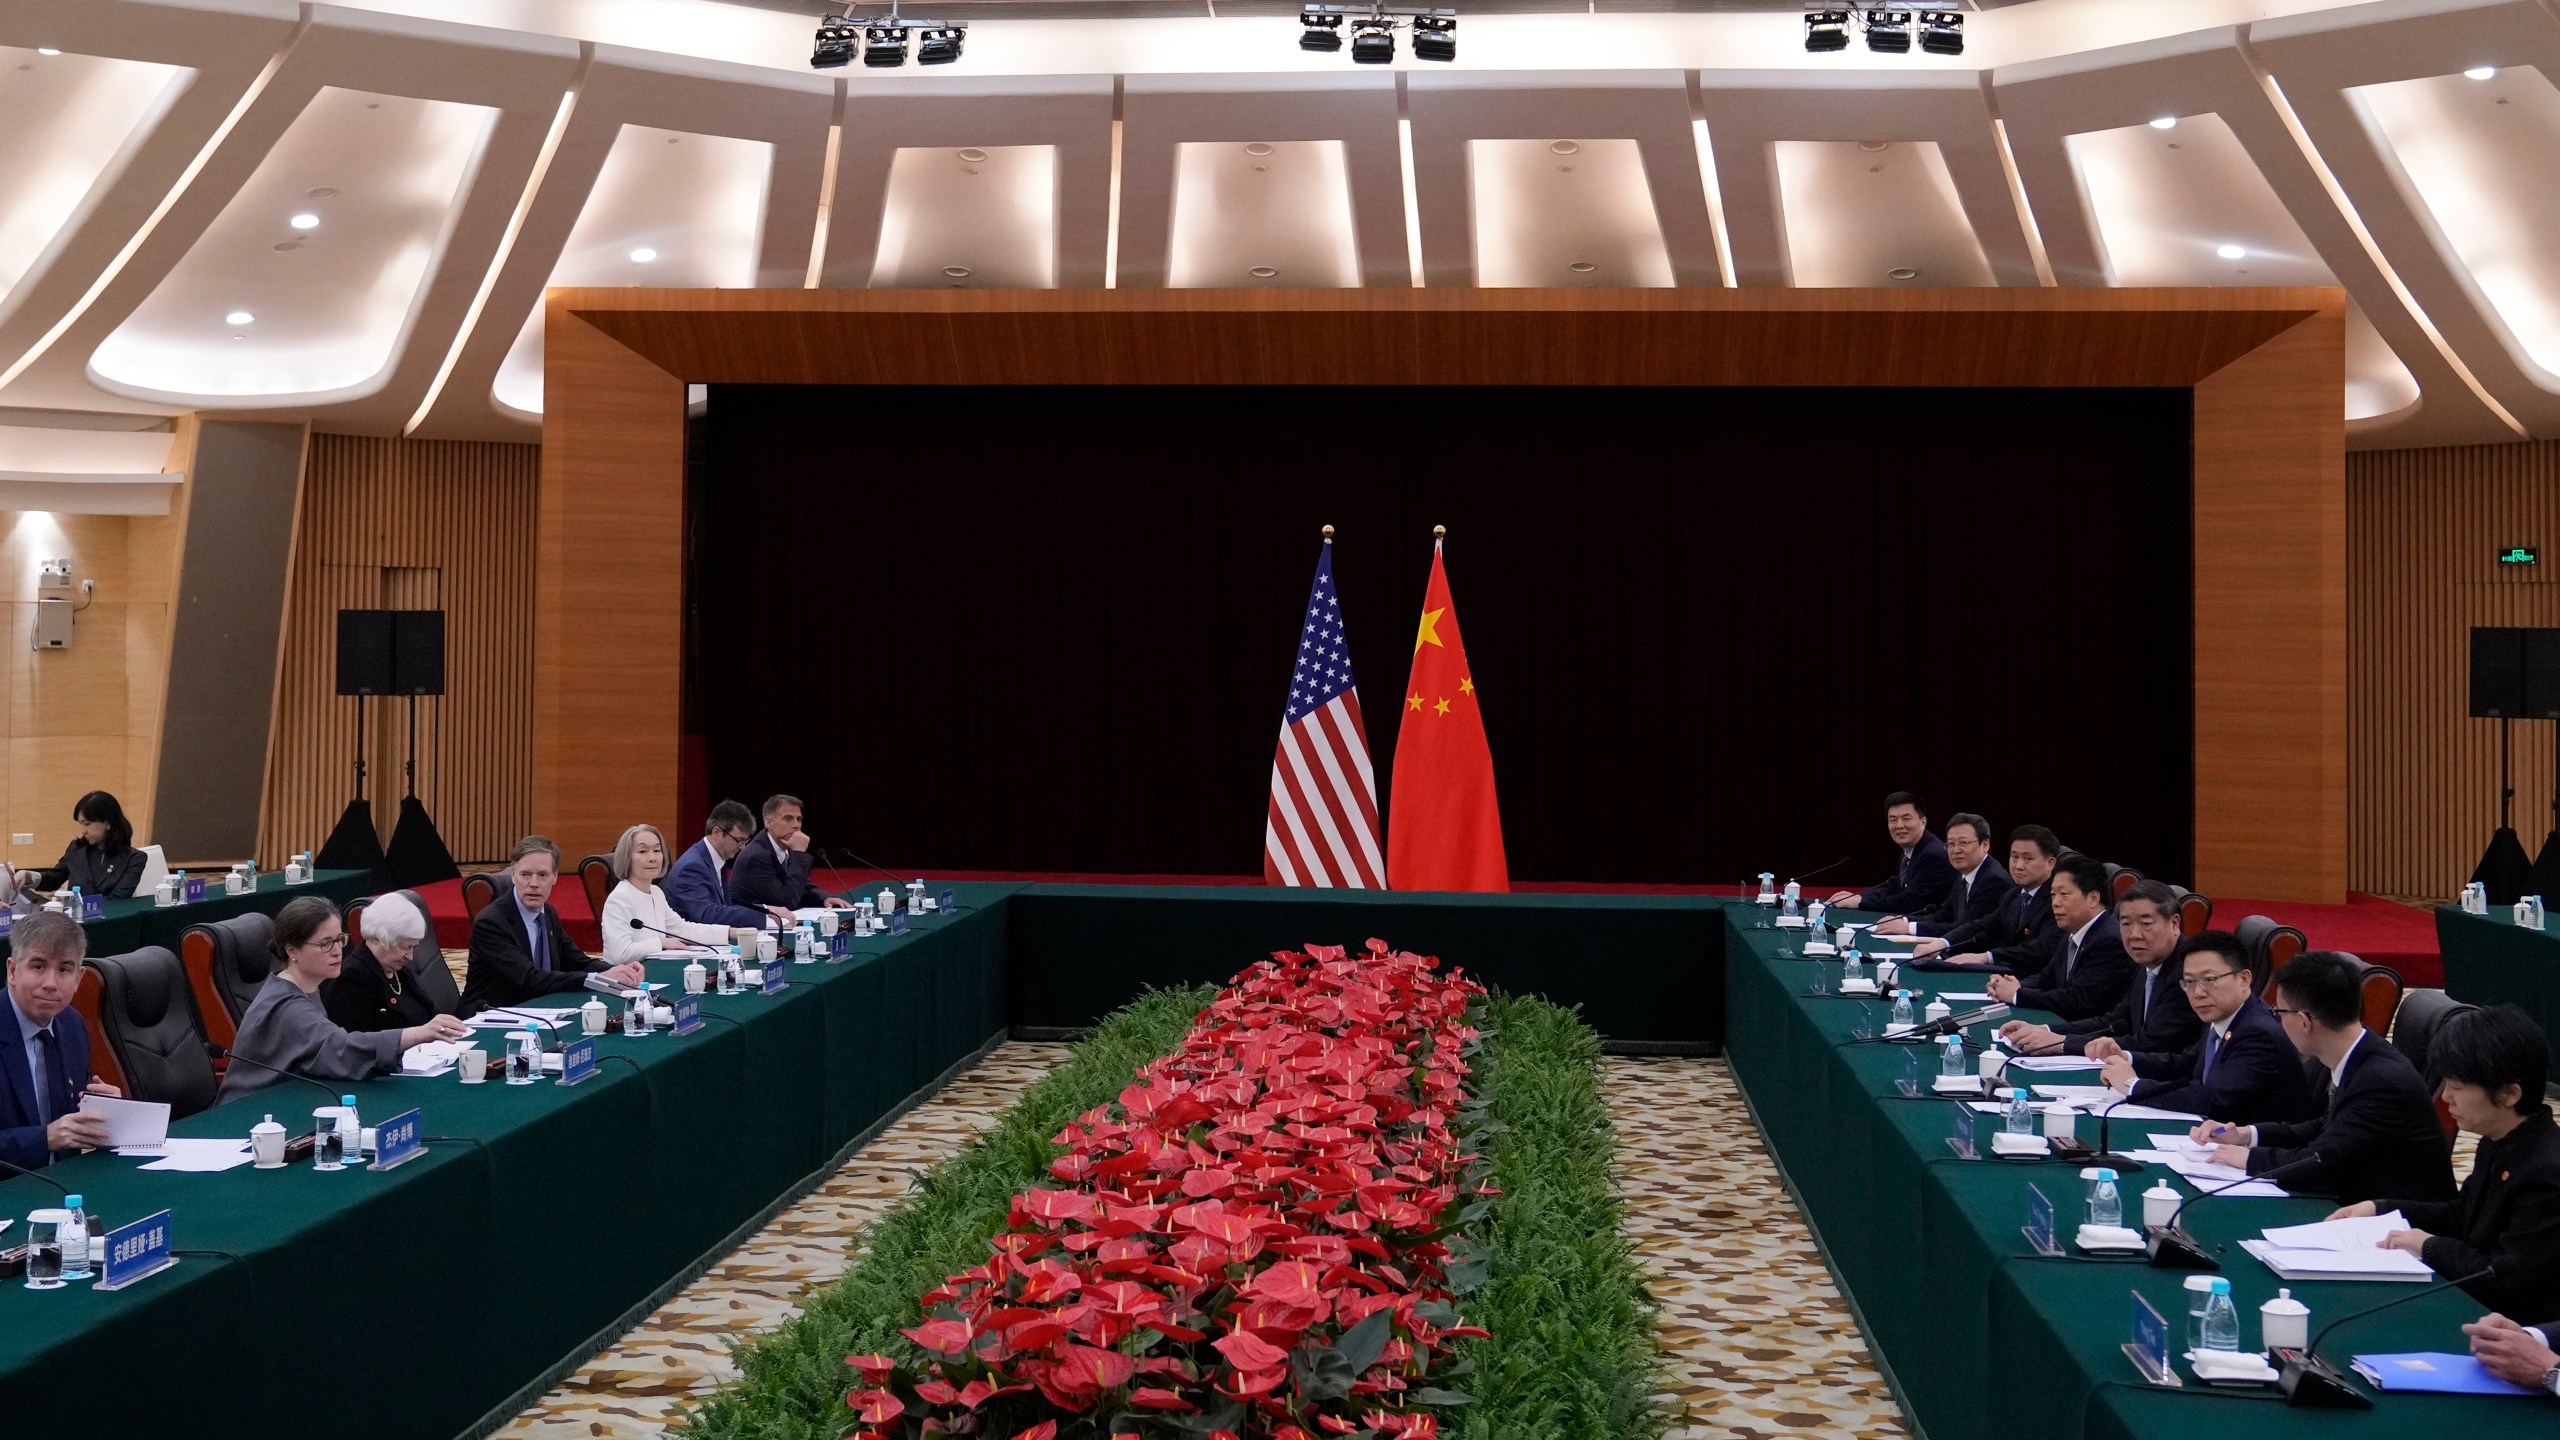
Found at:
[2241, 1067]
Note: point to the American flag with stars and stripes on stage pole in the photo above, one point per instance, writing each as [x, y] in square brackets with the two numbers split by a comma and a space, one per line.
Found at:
[1322, 824]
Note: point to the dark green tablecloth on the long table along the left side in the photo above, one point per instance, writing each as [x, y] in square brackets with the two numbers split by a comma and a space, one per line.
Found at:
[419, 1300]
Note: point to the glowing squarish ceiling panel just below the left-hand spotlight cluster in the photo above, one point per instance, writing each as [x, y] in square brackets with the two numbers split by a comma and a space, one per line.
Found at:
[969, 219]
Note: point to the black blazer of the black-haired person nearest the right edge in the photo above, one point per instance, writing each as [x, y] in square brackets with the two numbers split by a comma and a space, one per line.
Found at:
[2508, 1213]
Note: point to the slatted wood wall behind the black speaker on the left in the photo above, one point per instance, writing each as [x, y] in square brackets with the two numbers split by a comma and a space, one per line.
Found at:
[411, 527]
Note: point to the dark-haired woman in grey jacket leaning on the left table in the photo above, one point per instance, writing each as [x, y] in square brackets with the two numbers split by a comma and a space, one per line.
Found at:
[288, 1029]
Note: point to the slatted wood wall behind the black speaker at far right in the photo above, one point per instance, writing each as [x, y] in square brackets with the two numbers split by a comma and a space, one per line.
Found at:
[2423, 532]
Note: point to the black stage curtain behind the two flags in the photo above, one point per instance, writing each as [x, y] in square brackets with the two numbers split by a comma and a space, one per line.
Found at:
[1051, 629]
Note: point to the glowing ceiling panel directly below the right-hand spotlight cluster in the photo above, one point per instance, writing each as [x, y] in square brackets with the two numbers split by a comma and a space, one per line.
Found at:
[1875, 214]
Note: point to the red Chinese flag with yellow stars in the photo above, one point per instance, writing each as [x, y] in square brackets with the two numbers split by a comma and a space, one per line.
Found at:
[1445, 826]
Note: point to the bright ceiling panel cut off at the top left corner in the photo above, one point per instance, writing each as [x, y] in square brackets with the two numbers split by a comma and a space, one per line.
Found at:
[68, 119]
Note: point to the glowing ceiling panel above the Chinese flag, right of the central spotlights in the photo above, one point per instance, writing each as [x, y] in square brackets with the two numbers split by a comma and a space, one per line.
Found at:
[1565, 214]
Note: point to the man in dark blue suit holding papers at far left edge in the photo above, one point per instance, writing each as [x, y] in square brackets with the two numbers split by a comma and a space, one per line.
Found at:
[45, 1047]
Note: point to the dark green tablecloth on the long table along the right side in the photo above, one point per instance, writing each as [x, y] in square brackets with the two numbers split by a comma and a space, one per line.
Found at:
[1978, 1331]
